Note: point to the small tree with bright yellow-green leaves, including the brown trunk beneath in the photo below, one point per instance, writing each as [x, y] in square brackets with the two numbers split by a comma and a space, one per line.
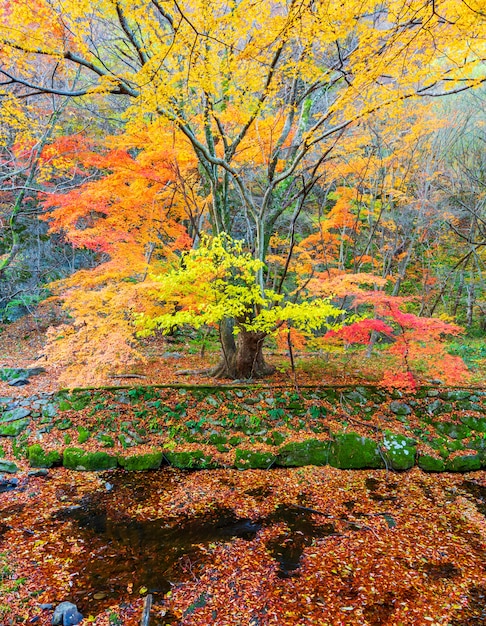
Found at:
[217, 282]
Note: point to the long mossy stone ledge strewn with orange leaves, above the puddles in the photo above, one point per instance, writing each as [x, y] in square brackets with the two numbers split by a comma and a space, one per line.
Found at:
[250, 427]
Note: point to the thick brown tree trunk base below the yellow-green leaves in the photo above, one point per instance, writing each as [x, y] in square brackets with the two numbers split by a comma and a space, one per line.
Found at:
[242, 356]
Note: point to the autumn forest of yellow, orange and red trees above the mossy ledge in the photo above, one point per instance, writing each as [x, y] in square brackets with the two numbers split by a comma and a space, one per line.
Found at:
[309, 174]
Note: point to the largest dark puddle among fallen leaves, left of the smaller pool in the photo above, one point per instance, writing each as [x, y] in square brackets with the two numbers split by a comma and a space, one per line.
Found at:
[127, 554]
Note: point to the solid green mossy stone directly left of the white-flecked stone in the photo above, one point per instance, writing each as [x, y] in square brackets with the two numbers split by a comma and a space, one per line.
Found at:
[352, 451]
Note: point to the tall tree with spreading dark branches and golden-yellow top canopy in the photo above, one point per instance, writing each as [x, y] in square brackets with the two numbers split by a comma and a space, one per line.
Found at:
[262, 92]
